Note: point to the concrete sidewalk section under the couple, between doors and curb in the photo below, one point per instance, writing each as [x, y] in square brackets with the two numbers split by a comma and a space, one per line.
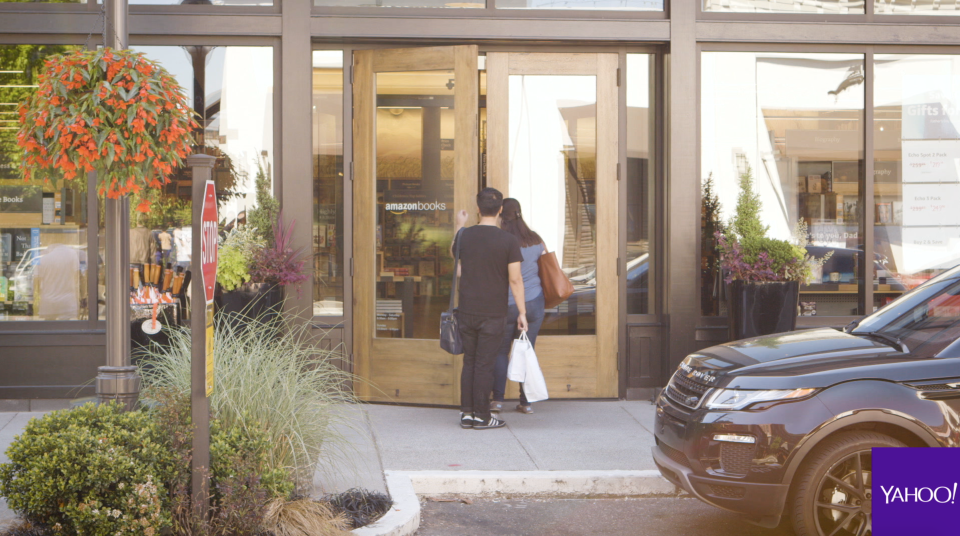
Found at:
[560, 436]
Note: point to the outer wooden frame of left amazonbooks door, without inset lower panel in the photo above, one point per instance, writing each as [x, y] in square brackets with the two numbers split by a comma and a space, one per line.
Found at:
[462, 59]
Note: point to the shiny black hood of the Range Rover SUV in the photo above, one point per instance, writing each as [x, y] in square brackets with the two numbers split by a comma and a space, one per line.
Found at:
[797, 359]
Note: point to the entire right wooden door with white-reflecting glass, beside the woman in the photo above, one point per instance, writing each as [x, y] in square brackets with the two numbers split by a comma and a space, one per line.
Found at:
[551, 142]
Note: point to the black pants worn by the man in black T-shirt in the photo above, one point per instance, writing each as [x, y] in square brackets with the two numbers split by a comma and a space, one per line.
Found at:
[481, 336]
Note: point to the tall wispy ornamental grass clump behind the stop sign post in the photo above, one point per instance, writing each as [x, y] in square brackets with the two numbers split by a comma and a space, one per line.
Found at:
[271, 377]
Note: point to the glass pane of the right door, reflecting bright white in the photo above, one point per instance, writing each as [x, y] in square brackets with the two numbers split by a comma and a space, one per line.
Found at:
[553, 173]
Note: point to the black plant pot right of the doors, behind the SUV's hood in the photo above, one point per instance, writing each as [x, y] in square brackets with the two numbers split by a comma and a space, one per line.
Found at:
[755, 309]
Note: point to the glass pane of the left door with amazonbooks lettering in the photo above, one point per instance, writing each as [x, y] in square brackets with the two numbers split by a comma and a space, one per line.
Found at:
[415, 183]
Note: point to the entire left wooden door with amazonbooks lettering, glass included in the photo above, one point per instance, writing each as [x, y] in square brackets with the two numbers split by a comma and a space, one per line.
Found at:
[416, 163]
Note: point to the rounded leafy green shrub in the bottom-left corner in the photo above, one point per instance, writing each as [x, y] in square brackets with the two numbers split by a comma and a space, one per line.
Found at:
[92, 470]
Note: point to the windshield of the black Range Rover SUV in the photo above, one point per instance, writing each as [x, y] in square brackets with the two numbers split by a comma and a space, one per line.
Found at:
[931, 325]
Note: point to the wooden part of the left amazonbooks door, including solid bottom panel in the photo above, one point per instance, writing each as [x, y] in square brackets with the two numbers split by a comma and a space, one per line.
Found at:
[405, 370]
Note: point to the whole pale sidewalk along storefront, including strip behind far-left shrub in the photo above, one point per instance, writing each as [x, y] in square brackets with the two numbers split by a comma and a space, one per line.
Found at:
[560, 436]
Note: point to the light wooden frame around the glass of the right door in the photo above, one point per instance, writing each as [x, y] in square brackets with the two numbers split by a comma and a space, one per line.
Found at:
[604, 344]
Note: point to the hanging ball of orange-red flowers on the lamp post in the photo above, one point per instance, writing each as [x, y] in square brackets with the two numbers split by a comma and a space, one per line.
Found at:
[110, 111]
